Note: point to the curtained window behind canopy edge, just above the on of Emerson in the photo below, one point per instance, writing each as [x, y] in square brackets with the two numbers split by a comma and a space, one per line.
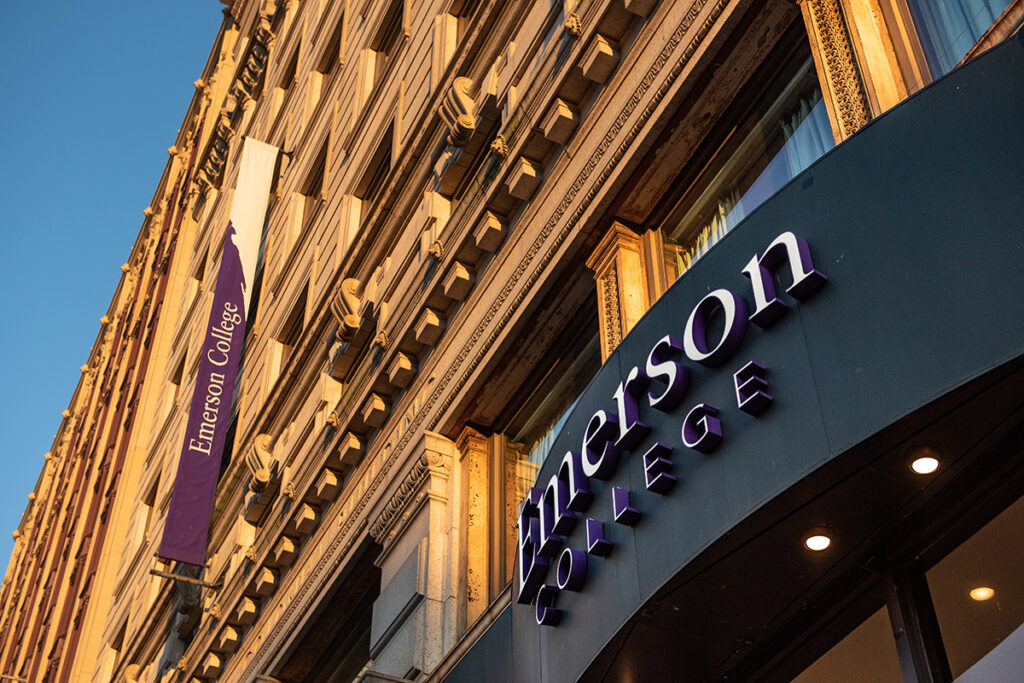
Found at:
[783, 135]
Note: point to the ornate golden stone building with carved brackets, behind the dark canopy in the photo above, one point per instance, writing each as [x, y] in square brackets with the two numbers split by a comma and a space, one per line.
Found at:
[474, 205]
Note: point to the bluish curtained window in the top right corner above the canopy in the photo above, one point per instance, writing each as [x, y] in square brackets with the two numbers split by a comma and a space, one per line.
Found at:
[948, 29]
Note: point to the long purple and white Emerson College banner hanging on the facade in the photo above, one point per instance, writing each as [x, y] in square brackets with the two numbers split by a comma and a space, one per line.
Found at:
[188, 524]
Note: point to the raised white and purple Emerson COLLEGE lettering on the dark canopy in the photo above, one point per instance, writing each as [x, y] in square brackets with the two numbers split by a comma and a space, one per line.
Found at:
[549, 515]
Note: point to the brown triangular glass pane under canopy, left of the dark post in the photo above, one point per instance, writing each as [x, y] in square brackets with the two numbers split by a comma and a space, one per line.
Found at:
[868, 654]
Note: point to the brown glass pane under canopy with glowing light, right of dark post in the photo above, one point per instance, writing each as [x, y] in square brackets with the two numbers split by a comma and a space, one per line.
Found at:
[978, 593]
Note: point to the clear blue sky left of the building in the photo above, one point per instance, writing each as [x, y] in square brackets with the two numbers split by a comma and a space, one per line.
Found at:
[94, 95]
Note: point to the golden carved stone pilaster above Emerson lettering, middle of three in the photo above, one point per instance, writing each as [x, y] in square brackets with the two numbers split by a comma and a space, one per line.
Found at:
[622, 291]
